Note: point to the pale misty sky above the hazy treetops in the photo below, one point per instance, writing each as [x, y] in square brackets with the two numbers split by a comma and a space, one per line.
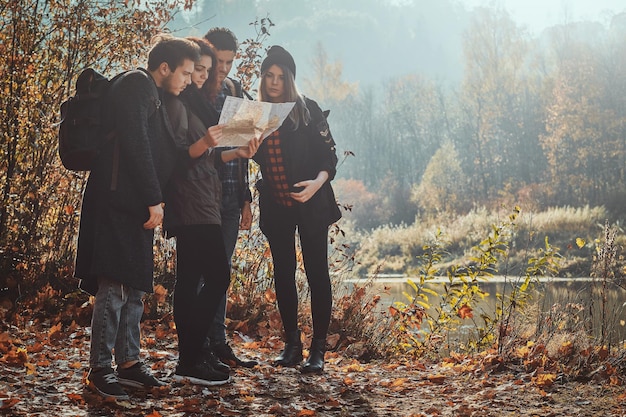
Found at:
[424, 39]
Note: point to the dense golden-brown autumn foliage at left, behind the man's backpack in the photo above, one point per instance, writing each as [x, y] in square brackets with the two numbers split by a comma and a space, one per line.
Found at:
[43, 45]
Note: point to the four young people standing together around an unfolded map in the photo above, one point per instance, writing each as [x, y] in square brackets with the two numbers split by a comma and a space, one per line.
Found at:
[165, 166]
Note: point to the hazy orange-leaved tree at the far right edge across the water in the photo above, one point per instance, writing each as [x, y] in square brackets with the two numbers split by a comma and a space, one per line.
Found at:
[584, 142]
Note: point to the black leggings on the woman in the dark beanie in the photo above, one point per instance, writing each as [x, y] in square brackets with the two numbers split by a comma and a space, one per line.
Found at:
[281, 237]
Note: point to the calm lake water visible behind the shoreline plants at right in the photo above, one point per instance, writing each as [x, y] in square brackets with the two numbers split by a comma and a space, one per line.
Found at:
[571, 302]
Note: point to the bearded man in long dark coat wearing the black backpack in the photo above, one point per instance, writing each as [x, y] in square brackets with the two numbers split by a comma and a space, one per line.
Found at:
[122, 205]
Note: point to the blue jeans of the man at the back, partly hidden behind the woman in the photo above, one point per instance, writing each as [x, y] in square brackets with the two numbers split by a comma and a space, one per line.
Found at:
[231, 213]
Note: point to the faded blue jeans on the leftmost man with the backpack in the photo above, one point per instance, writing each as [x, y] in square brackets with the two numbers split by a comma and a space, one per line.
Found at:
[115, 323]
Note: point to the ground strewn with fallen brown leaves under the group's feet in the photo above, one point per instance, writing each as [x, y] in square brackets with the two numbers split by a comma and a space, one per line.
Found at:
[43, 368]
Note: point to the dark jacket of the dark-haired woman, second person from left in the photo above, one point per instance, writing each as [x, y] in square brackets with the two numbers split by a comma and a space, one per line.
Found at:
[195, 192]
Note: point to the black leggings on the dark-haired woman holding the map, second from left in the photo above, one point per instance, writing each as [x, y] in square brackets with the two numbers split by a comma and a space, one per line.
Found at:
[200, 253]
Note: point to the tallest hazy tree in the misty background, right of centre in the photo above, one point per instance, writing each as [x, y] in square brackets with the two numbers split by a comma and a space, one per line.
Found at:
[500, 135]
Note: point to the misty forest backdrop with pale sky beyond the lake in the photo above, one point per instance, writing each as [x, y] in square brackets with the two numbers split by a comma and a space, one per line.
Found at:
[450, 117]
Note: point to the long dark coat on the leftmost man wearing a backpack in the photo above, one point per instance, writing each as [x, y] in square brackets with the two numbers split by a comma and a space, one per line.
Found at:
[112, 242]
